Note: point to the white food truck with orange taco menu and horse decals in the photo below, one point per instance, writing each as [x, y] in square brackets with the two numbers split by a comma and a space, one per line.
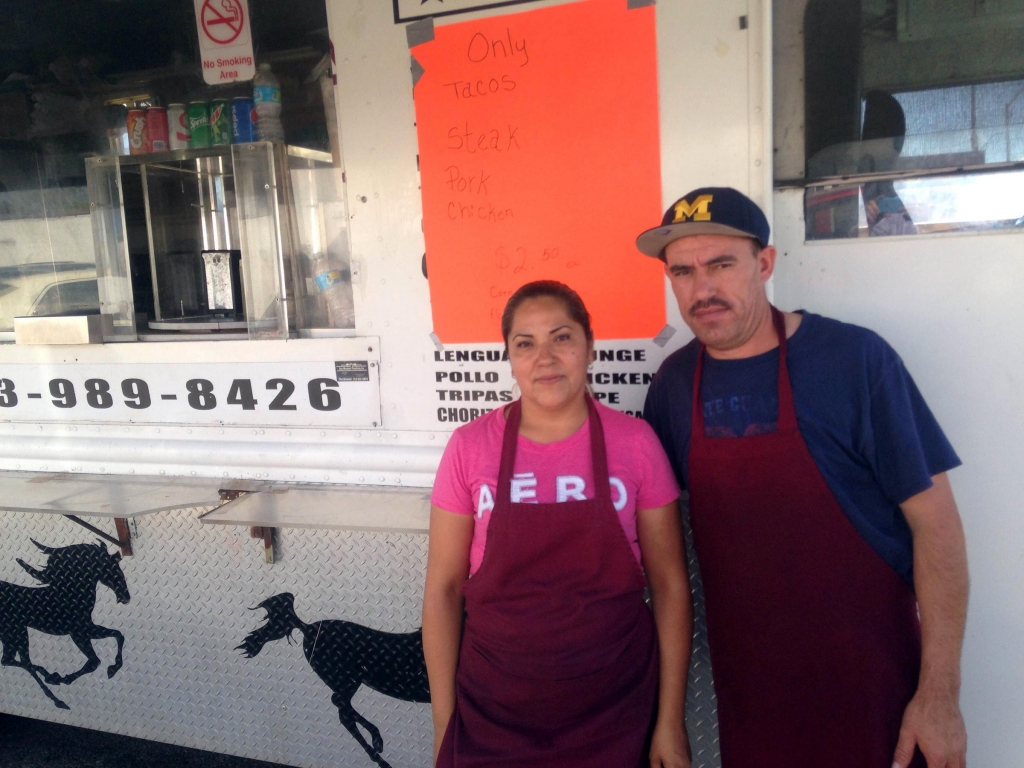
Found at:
[228, 372]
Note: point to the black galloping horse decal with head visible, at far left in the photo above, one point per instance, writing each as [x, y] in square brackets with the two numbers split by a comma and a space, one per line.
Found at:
[63, 607]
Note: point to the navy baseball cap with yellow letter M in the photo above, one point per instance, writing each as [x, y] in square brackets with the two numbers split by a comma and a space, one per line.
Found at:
[710, 210]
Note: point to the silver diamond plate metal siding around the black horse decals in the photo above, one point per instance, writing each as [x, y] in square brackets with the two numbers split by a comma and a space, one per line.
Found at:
[185, 684]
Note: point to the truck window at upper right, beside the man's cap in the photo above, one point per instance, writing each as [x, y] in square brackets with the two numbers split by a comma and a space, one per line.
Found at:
[914, 117]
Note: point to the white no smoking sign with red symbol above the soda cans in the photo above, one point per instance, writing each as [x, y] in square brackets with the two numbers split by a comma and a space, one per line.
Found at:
[225, 40]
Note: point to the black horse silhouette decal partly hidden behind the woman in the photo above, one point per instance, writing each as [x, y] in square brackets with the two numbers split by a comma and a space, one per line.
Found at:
[346, 657]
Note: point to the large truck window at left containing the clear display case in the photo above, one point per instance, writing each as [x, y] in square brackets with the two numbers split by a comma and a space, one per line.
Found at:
[246, 239]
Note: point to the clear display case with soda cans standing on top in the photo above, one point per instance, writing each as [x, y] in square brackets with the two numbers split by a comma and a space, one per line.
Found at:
[243, 241]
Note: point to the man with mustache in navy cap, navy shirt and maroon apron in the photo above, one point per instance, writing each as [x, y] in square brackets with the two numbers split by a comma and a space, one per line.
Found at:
[823, 518]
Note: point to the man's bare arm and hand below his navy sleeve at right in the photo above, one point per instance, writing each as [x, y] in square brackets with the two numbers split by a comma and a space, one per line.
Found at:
[932, 720]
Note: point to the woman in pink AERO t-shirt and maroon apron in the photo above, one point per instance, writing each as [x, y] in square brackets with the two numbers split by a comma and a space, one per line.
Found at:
[538, 534]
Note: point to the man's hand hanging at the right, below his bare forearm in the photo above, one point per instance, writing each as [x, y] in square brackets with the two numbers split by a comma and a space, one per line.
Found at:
[933, 722]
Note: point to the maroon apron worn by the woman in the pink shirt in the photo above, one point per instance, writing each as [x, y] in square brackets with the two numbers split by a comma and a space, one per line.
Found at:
[559, 664]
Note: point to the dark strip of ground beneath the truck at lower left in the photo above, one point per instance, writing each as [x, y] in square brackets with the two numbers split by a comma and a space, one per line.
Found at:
[33, 744]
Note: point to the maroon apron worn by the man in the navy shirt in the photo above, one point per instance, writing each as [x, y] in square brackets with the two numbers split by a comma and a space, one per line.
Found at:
[816, 643]
